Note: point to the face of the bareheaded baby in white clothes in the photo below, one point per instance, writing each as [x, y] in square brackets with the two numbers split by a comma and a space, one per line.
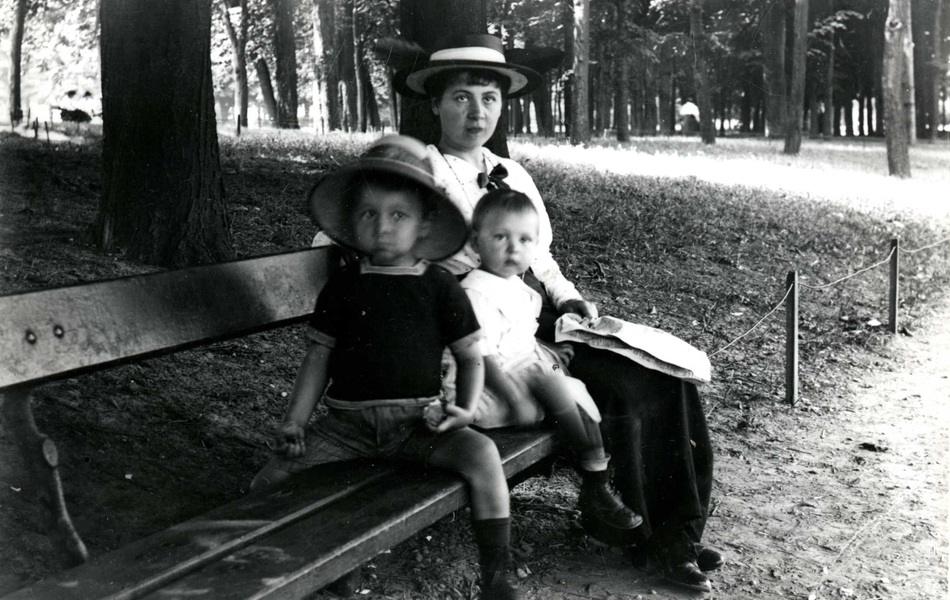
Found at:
[507, 242]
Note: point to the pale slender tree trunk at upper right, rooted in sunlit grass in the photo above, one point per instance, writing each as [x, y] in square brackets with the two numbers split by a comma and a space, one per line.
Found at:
[895, 123]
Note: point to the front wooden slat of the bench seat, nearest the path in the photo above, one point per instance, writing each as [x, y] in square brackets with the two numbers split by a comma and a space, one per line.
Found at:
[296, 561]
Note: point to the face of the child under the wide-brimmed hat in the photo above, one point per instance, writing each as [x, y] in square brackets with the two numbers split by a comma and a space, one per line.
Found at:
[387, 224]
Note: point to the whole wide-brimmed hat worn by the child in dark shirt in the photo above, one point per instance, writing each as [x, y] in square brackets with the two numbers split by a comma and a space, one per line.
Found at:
[400, 158]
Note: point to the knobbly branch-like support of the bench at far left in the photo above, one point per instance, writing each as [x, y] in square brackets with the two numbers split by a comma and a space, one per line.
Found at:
[41, 460]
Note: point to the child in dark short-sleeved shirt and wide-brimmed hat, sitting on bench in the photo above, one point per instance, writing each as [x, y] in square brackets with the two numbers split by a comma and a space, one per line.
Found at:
[377, 336]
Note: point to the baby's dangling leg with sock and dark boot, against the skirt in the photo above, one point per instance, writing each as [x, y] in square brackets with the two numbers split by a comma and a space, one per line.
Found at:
[600, 506]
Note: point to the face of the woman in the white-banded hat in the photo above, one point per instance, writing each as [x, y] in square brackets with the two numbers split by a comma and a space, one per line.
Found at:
[468, 113]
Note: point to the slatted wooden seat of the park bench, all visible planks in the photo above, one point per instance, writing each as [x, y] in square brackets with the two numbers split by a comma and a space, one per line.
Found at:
[323, 525]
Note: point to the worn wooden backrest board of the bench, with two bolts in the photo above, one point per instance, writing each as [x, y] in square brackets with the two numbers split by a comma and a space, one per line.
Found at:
[54, 333]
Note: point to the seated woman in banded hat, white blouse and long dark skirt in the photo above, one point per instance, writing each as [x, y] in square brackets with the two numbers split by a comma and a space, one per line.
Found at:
[653, 424]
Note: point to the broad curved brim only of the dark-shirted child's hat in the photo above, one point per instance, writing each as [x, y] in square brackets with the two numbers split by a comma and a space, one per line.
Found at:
[329, 206]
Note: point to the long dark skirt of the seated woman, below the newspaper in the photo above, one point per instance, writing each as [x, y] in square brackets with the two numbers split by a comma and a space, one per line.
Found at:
[654, 428]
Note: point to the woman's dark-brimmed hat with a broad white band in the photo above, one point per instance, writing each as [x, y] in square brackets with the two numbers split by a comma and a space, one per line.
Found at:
[472, 51]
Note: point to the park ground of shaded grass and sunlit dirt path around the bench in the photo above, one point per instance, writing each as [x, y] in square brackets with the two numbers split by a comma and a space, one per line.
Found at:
[844, 495]
